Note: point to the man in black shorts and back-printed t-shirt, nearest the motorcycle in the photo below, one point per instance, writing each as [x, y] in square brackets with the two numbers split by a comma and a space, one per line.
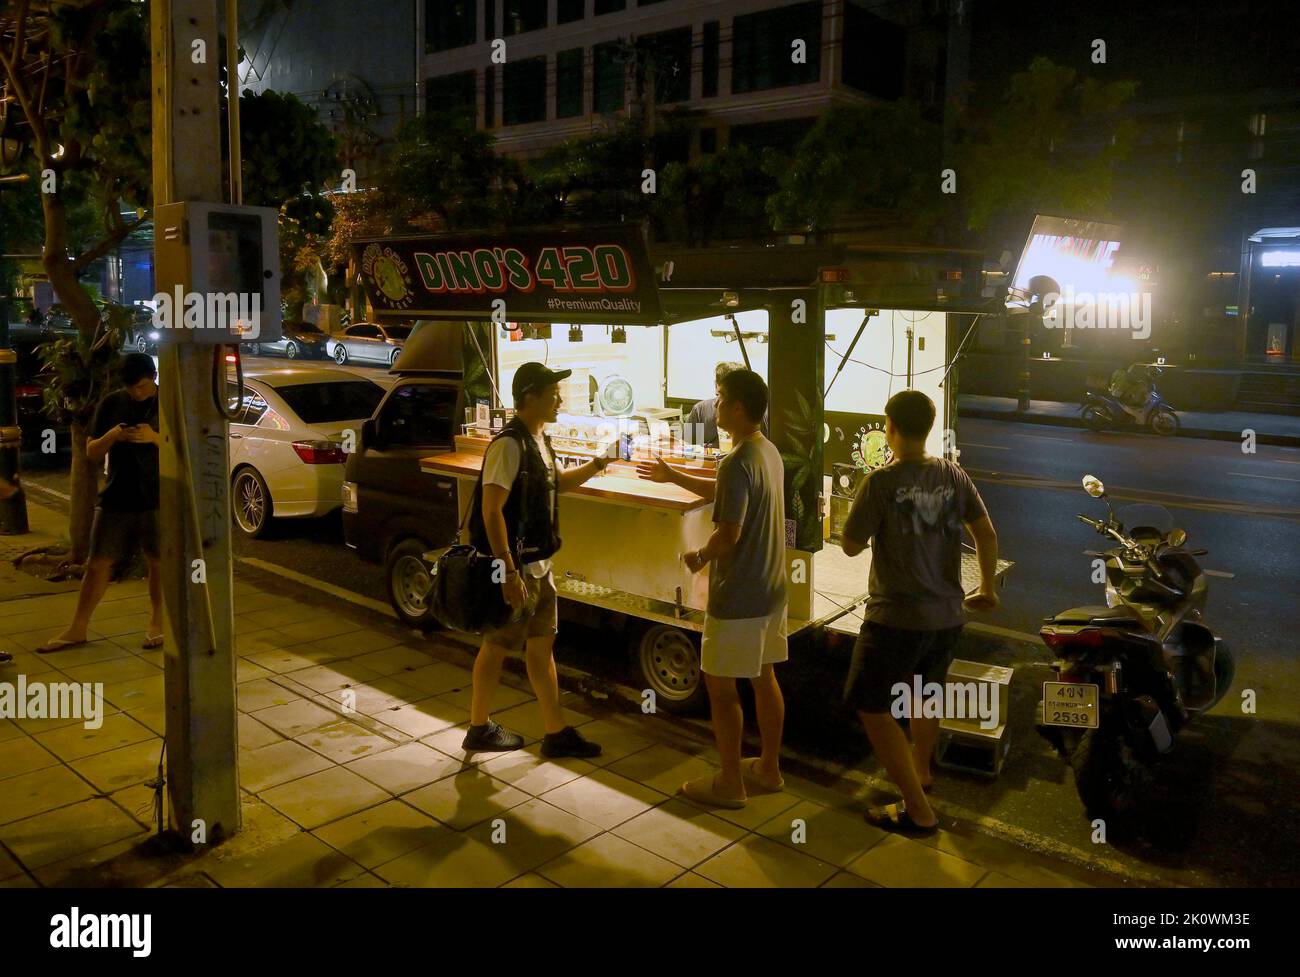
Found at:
[912, 514]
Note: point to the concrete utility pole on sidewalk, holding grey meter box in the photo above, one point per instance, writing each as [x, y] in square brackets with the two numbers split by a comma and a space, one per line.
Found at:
[194, 520]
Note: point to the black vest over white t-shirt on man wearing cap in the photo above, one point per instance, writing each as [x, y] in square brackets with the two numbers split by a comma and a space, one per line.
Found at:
[532, 524]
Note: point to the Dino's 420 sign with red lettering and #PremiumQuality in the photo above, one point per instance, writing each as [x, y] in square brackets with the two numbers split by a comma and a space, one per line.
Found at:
[592, 275]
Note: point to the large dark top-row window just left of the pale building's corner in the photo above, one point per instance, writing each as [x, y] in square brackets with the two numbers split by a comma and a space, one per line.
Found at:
[762, 47]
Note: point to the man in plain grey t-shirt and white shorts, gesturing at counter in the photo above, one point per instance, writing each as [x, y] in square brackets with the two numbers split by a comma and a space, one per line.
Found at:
[746, 622]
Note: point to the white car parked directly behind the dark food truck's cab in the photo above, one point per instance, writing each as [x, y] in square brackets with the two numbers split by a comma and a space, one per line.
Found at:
[291, 440]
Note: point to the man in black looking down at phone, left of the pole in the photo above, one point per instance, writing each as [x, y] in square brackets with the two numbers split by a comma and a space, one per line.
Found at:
[127, 432]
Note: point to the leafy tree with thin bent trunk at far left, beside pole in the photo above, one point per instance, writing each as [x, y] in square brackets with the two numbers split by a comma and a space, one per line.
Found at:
[76, 105]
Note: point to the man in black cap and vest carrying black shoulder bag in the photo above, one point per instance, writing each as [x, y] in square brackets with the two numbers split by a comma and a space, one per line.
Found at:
[517, 518]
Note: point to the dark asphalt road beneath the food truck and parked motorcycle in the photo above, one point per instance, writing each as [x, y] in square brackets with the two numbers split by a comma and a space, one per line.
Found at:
[1228, 807]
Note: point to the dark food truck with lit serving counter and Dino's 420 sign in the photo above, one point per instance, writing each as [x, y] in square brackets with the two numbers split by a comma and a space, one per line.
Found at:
[835, 331]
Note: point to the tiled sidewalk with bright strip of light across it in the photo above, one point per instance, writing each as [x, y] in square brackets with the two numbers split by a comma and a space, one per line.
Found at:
[385, 797]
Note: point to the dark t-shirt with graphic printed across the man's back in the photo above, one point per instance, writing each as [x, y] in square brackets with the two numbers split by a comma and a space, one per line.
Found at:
[912, 513]
